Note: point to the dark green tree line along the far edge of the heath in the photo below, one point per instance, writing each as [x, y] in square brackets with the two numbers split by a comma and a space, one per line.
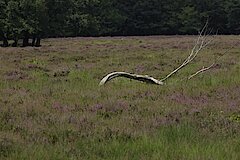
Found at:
[27, 20]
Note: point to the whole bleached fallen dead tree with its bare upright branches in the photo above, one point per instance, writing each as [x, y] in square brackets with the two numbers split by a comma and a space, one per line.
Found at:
[201, 42]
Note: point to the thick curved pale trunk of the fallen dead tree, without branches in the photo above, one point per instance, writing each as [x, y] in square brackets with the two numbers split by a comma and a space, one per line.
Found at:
[143, 78]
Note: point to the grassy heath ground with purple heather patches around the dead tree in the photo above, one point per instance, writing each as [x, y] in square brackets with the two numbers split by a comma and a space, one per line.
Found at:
[51, 106]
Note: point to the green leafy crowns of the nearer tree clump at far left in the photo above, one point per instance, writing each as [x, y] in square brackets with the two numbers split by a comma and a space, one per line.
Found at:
[23, 19]
